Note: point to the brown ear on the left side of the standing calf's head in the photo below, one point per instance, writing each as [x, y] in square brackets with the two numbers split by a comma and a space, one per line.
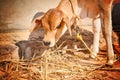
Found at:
[36, 25]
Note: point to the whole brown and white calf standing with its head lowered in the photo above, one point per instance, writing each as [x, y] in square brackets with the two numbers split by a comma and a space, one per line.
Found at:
[66, 14]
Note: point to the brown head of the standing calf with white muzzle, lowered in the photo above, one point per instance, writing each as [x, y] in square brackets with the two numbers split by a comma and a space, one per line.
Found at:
[55, 23]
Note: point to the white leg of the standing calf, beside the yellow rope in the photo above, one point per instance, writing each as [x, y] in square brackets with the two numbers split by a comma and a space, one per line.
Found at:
[96, 30]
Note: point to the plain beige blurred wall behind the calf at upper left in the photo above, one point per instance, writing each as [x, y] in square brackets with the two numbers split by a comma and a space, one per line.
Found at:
[17, 14]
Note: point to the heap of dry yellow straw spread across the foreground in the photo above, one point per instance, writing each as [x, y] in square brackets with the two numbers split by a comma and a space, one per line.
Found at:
[52, 65]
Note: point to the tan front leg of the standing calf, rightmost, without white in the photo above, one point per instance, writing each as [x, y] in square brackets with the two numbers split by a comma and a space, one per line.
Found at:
[107, 30]
